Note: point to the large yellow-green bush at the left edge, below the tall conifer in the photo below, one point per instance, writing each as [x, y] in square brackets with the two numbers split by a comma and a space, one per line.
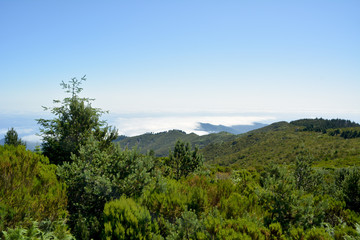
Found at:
[29, 188]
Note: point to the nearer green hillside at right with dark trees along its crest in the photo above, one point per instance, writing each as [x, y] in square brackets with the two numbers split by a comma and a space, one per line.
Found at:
[282, 142]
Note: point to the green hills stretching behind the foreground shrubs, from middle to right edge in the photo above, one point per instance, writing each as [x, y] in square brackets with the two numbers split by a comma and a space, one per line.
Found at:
[279, 142]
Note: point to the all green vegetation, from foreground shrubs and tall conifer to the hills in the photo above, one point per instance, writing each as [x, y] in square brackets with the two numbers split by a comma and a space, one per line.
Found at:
[283, 181]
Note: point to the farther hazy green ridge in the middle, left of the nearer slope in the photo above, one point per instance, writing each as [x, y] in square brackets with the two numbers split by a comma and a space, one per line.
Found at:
[161, 142]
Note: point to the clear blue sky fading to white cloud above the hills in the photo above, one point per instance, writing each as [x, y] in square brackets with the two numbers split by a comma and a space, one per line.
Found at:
[158, 65]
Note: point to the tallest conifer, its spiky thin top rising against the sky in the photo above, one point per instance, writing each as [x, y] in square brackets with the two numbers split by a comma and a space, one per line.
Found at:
[75, 121]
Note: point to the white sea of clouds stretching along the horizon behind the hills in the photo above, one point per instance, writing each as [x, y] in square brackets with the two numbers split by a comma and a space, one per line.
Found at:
[137, 124]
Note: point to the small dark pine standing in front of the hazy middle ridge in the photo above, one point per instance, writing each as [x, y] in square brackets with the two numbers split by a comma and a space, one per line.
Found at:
[183, 160]
